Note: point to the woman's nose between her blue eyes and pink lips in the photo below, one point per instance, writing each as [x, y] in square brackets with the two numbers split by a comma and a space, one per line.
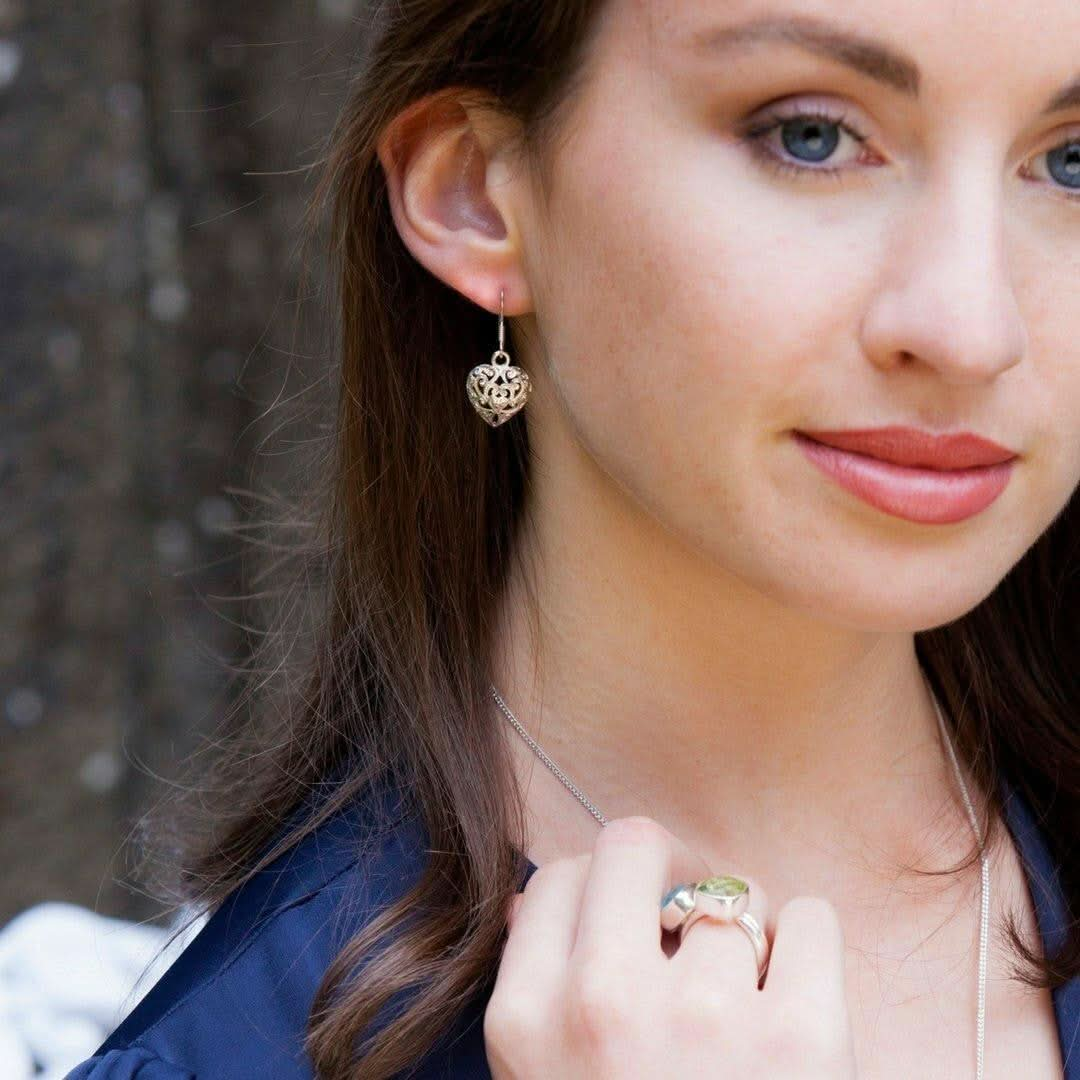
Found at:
[947, 301]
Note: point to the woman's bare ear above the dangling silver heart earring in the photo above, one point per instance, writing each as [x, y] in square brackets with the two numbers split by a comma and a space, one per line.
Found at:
[449, 177]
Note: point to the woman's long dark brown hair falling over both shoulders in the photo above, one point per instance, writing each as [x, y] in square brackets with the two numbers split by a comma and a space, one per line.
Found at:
[408, 523]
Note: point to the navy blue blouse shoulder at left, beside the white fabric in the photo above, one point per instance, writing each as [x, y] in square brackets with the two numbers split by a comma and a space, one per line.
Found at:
[236, 1002]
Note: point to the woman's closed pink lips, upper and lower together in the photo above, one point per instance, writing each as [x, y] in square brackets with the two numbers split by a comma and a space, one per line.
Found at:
[911, 474]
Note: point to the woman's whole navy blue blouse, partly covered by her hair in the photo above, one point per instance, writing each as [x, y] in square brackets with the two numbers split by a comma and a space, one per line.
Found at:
[235, 1004]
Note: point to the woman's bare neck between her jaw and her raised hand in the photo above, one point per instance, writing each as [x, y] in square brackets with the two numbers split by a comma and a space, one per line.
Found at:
[665, 685]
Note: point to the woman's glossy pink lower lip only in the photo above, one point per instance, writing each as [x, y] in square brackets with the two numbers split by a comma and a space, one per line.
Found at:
[930, 496]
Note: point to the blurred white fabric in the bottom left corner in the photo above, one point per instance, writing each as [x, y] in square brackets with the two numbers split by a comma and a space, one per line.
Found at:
[69, 977]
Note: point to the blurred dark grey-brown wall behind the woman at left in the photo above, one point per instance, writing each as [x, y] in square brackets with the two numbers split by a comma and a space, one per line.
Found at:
[150, 211]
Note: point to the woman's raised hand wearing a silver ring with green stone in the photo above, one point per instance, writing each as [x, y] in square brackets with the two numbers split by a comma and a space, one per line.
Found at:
[591, 987]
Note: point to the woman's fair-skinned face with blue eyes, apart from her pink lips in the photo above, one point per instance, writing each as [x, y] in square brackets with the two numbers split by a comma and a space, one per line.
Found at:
[893, 250]
